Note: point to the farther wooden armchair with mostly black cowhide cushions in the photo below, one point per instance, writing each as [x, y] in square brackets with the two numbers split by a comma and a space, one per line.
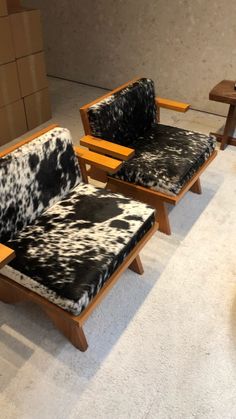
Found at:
[159, 163]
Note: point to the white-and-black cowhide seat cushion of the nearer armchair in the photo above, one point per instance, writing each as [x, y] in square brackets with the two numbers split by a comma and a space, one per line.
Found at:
[69, 252]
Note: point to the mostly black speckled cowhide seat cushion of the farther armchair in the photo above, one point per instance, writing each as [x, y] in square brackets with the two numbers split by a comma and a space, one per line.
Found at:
[166, 158]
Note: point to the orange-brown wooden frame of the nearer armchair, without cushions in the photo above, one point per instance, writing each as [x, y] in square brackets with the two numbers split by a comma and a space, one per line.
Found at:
[68, 324]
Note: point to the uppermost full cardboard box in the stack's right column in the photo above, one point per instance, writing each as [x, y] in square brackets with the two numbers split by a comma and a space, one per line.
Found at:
[26, 32]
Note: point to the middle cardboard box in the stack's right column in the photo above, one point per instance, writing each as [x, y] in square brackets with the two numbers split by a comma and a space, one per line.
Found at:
[32, 73]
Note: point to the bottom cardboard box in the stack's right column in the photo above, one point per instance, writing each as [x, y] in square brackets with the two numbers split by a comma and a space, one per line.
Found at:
[37, 108]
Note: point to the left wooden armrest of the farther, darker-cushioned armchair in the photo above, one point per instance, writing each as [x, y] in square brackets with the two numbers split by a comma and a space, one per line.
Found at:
[111, 149]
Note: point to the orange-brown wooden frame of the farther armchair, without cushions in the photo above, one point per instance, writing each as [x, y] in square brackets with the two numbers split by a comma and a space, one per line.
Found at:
[157, 199]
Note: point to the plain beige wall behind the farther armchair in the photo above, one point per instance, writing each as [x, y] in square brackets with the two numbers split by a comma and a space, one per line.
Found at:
[185, 46]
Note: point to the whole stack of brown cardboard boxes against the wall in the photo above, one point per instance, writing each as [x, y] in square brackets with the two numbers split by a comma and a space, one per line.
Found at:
[24, 97]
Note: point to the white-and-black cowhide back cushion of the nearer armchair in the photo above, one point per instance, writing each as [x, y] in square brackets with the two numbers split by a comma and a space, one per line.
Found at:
[33, 177]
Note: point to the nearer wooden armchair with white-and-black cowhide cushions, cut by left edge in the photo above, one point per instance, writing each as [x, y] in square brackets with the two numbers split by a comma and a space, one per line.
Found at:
[64, 243]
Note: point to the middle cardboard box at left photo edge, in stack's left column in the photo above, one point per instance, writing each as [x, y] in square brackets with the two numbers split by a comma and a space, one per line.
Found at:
[9, 84]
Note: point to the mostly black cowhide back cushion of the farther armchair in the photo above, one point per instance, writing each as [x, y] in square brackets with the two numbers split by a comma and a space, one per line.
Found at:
[125, 115]
